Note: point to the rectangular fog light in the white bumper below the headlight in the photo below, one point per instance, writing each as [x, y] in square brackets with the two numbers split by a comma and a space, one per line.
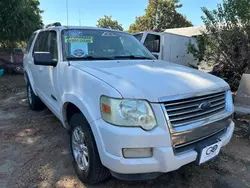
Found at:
[137, 152]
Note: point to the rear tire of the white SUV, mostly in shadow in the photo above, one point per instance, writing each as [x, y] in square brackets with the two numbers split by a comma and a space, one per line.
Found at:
[34, 102]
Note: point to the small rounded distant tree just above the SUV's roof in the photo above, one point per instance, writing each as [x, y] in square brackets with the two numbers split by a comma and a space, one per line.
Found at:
[107, 22]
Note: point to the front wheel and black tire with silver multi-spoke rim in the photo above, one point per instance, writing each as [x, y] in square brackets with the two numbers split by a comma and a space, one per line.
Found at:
[94, 172]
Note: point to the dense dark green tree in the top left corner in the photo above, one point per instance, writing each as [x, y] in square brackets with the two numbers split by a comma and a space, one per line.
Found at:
[18, 19]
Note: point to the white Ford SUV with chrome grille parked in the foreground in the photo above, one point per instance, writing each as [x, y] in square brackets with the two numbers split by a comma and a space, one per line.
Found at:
[127, 113]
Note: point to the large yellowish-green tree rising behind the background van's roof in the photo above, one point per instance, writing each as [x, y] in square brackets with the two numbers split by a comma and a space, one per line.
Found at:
[160, 15]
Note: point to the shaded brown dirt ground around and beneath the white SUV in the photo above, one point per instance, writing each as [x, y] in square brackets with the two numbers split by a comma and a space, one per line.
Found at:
[34, 151]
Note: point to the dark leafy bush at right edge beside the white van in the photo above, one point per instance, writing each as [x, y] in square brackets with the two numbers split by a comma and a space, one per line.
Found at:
[226, 42]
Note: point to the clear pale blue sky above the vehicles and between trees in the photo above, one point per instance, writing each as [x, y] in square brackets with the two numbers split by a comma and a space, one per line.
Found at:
[87, 12]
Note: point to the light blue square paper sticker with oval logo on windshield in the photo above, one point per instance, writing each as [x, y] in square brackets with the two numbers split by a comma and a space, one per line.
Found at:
[78, 49]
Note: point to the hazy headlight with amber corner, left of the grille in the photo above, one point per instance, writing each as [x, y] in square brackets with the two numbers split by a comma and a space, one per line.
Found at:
[127, 112]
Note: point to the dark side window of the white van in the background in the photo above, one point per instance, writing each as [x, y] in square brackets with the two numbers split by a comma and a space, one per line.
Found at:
[152, 42]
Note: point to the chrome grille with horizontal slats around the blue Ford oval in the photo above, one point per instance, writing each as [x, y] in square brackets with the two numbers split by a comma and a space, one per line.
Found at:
[185, 111]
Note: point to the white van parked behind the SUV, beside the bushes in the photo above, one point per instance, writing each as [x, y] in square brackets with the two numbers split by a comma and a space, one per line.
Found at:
[171, 45]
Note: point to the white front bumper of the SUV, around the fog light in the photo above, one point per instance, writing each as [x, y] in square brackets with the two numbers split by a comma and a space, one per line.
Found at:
[114, 139]
